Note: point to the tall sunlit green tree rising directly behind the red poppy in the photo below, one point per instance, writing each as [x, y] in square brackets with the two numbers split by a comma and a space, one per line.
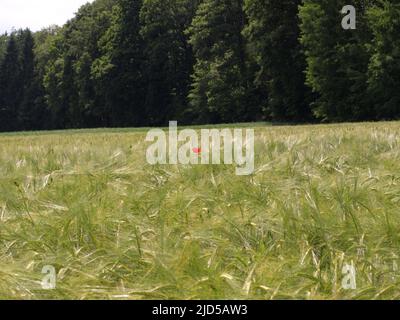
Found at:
[220, 80]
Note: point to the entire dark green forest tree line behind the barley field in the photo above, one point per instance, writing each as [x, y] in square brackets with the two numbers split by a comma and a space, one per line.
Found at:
[121, 63]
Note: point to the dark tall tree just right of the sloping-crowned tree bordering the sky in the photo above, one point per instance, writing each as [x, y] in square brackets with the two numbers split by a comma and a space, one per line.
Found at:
[120, 69]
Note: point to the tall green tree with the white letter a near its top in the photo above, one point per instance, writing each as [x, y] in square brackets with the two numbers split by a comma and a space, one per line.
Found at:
[337, 60]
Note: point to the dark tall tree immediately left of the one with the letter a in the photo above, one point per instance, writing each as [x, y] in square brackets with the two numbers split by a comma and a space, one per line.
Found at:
[273, 34]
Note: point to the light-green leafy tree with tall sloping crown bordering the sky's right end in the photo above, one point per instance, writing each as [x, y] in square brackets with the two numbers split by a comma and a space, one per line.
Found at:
[71, 91]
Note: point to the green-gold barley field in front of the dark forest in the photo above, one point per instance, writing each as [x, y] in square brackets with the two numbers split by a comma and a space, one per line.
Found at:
[114, 227]
